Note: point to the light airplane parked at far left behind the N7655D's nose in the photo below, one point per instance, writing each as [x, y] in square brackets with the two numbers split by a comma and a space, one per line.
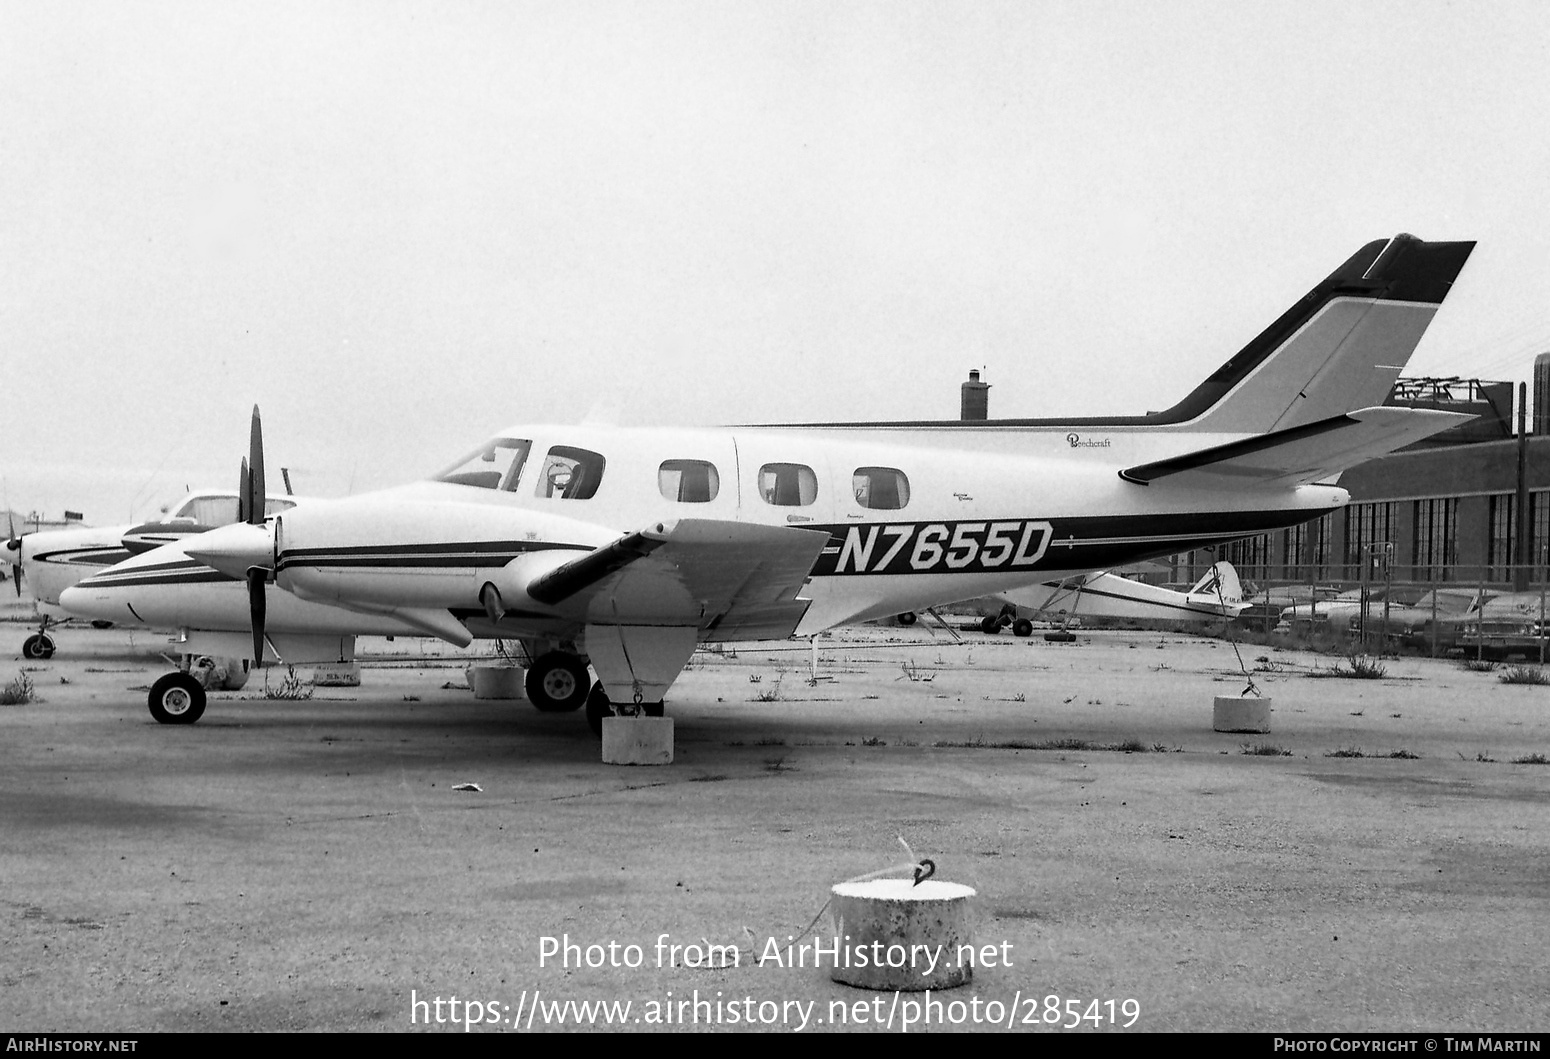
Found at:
[53, 561]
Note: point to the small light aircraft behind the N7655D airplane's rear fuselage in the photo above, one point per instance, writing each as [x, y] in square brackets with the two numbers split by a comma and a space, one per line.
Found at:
[1214, 598]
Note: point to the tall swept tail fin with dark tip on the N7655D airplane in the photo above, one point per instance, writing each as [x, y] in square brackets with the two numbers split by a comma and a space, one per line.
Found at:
[1337, 351]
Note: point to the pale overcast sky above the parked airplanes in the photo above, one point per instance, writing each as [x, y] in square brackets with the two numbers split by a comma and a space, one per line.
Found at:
[402, 227]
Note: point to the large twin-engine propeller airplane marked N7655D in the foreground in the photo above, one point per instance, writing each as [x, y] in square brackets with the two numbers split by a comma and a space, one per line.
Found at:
[624, 550]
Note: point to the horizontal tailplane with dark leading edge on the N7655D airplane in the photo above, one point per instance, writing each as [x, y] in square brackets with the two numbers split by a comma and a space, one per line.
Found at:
[1306, 454]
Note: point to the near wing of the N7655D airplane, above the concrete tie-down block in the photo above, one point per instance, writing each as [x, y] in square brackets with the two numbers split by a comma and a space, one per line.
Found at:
[718, 576]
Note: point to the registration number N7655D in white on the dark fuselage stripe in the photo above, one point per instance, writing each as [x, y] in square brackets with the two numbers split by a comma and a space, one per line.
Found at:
[935, 548]
